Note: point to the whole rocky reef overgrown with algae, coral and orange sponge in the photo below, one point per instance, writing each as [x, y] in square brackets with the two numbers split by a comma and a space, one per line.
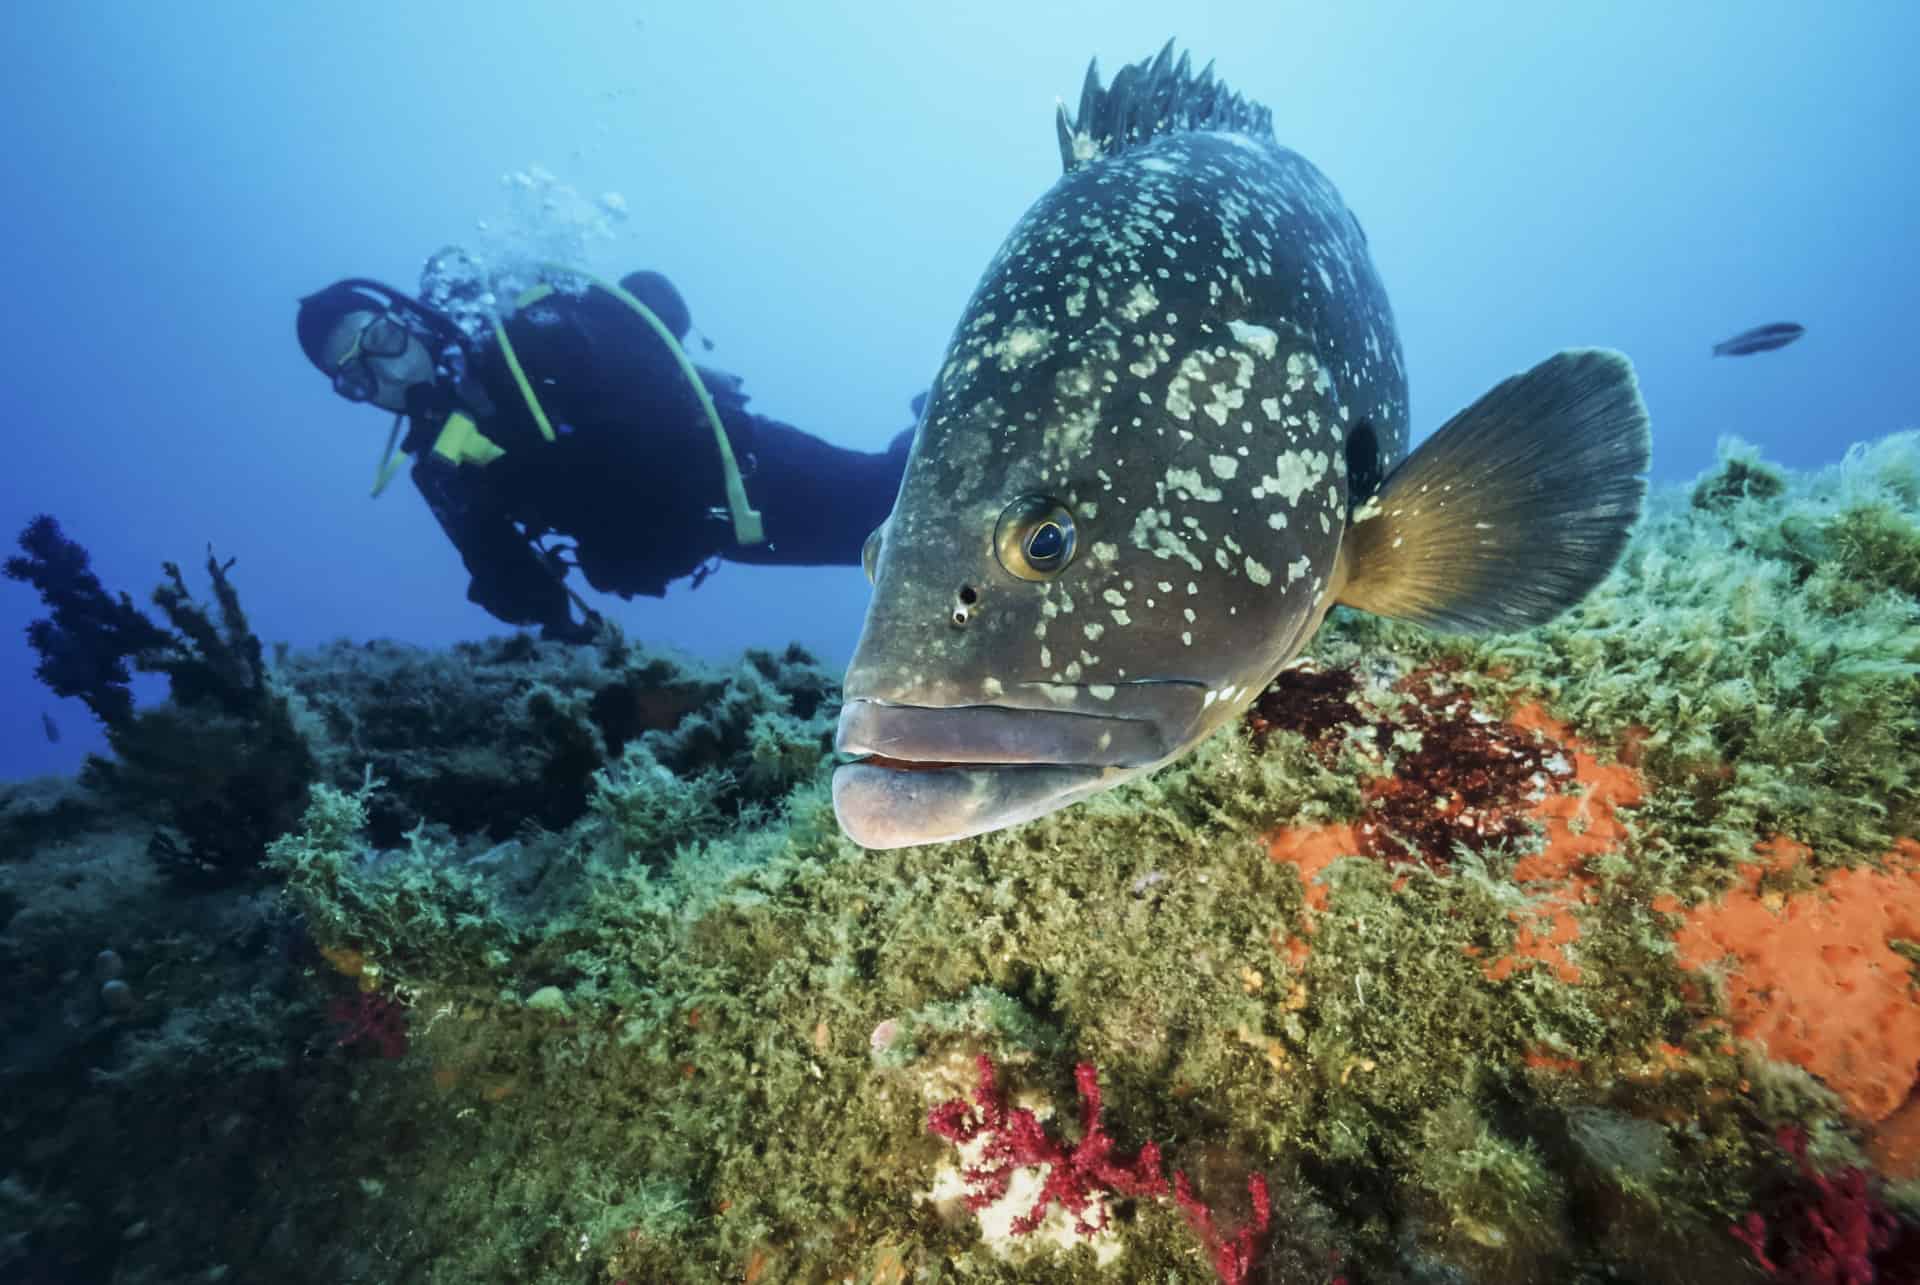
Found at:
[1577, 956]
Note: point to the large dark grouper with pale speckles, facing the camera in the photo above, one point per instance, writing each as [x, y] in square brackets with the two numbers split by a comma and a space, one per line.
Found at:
[1170, 433]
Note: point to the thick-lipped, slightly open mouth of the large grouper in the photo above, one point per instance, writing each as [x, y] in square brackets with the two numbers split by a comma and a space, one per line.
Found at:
[928, 775]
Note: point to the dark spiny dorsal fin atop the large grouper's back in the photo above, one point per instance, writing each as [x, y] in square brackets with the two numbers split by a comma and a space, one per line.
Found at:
[1151, 99]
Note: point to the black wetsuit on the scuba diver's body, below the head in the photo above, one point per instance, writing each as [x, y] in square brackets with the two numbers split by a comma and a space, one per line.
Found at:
[633, 475]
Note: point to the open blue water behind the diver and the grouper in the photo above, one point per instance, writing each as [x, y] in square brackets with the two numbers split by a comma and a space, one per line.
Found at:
[827, 182]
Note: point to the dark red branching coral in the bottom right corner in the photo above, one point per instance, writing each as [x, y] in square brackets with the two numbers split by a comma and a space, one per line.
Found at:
[1831, 1230]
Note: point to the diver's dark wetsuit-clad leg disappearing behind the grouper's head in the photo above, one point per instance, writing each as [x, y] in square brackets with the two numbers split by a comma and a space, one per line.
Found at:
[819, 502]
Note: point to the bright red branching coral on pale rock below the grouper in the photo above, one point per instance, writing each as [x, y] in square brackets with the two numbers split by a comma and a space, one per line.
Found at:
[1015, 1140]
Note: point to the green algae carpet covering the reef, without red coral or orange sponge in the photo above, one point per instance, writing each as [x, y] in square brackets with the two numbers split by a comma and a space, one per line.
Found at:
[667, 1025]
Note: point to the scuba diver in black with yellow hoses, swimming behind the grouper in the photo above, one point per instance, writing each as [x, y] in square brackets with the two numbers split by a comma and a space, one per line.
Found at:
[577, 433]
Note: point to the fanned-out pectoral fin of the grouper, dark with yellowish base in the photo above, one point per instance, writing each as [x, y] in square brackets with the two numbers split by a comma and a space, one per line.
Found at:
[1516, 510]
